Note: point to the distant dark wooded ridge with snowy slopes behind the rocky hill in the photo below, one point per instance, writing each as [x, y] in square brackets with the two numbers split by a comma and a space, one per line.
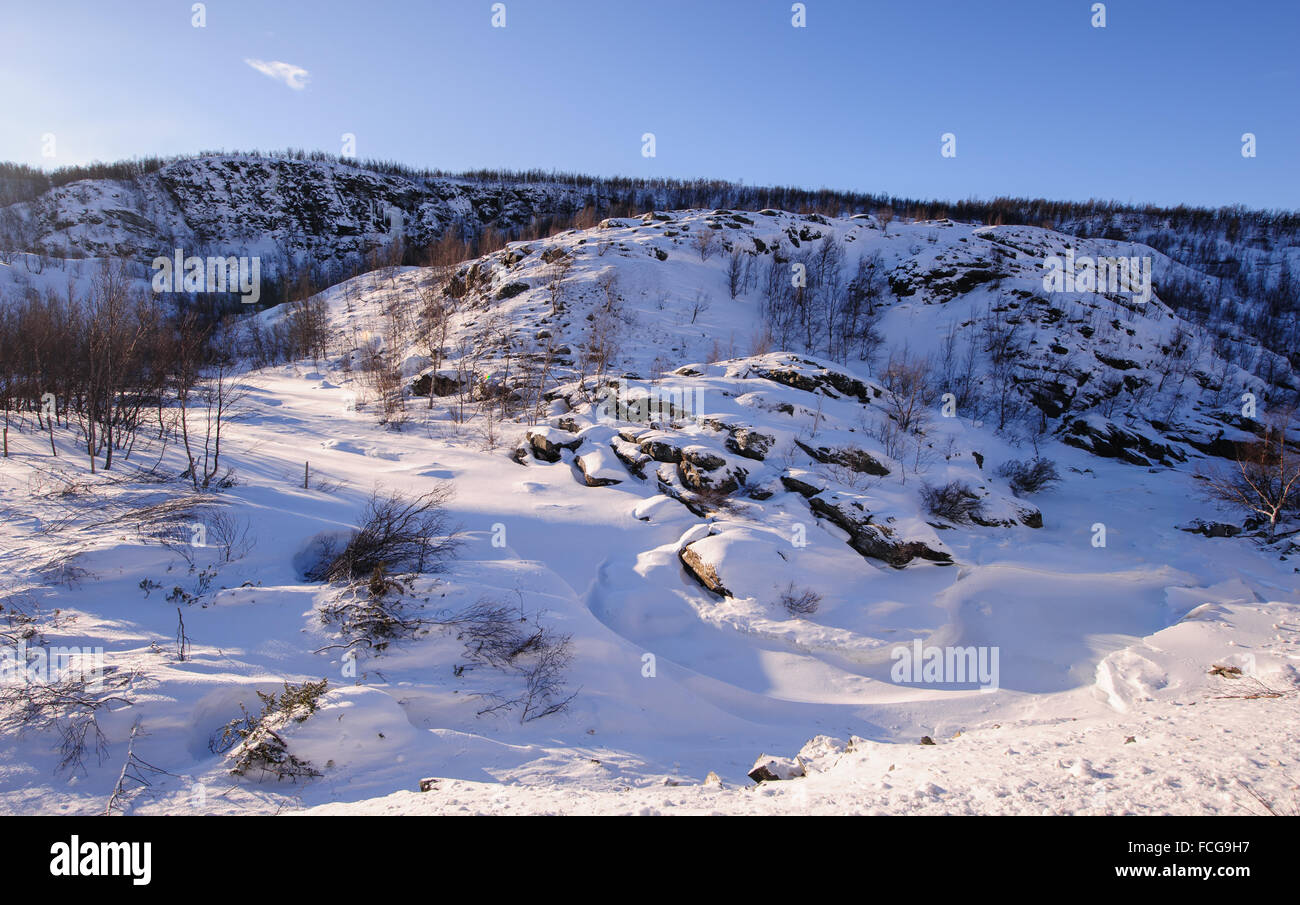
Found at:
[317, 220]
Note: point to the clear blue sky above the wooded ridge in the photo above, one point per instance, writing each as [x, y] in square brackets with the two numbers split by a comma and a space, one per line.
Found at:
[1150, 109]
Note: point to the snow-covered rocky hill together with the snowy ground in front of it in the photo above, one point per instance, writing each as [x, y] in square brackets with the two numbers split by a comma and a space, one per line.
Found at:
[697, 445]
